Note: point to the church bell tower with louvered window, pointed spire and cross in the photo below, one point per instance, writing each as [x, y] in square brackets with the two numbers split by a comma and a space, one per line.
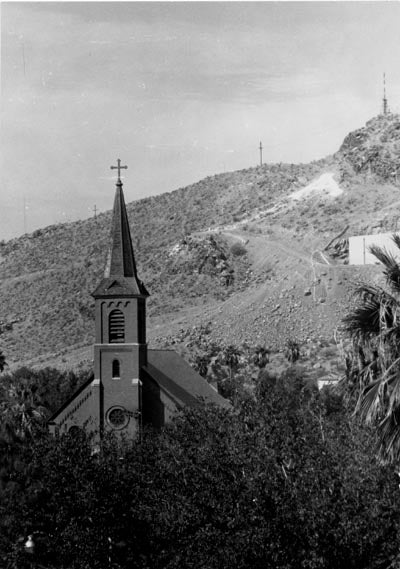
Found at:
[120, 349]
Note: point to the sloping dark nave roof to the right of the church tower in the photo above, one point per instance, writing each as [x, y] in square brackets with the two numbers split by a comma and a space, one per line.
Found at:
[180, 380]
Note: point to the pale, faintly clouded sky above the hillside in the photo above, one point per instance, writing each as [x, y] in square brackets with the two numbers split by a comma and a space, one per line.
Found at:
[178, 91]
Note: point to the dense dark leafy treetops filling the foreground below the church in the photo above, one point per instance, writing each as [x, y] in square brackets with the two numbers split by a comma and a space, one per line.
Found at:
[286, 481]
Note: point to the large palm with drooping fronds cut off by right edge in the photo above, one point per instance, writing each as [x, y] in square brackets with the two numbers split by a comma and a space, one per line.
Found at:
[373, 368]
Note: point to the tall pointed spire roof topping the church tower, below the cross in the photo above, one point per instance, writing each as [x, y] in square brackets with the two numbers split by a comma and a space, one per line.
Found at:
[120, 275]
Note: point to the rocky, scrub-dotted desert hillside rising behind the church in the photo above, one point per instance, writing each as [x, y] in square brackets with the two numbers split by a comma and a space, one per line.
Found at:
[248, 253]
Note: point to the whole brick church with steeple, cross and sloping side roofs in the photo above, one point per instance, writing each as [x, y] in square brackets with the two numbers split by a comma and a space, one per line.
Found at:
[133, 385]
